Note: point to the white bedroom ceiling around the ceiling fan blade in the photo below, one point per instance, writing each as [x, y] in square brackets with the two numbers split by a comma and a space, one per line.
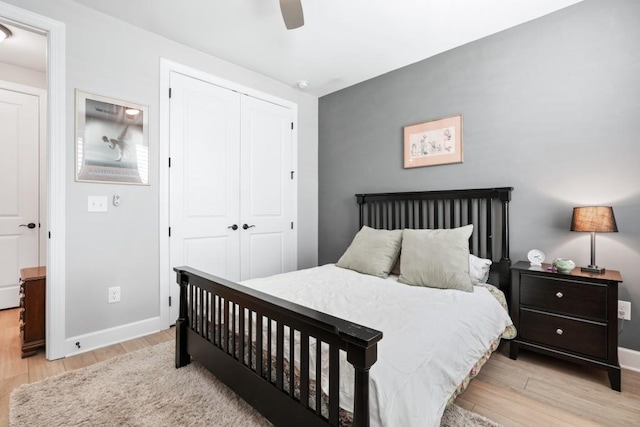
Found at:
[343, 42]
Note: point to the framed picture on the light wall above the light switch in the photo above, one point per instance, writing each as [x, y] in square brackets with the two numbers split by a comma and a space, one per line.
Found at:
[112, 140]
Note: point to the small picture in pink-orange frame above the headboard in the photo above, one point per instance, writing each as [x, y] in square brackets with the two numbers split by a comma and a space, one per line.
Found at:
[436, 142]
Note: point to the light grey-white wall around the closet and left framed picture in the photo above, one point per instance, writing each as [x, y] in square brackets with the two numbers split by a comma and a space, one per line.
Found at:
[120, 248]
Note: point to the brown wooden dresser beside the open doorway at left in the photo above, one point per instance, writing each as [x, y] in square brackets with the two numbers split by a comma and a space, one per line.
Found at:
[32, 313]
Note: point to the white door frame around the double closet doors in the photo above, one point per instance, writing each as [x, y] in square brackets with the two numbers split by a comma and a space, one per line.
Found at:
[168, 66]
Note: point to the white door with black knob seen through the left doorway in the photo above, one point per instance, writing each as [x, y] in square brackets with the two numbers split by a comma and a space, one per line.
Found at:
[19, 193]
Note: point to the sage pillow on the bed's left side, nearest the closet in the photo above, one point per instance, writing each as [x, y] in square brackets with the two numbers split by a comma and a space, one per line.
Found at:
[372, 252]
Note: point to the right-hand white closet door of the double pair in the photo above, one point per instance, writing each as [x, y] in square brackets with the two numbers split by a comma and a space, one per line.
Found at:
[267, 206]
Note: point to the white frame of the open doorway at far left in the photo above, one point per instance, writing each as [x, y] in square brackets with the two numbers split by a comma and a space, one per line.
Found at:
[55, 164]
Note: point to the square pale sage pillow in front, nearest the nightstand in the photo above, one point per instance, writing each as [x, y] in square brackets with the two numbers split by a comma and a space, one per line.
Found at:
[436, 258]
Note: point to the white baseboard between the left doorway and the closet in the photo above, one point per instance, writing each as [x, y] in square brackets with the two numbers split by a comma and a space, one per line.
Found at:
[89, 342]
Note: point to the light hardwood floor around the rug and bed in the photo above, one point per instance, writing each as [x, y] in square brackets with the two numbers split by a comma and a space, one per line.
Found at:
[533, 391]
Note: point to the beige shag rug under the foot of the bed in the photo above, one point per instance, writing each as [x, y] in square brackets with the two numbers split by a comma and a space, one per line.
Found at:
[143, 388]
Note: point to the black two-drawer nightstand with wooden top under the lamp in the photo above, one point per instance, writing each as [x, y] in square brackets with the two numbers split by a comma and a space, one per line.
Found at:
[570, 316]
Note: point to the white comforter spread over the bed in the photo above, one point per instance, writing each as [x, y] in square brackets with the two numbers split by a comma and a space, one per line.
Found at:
[431, 337]
